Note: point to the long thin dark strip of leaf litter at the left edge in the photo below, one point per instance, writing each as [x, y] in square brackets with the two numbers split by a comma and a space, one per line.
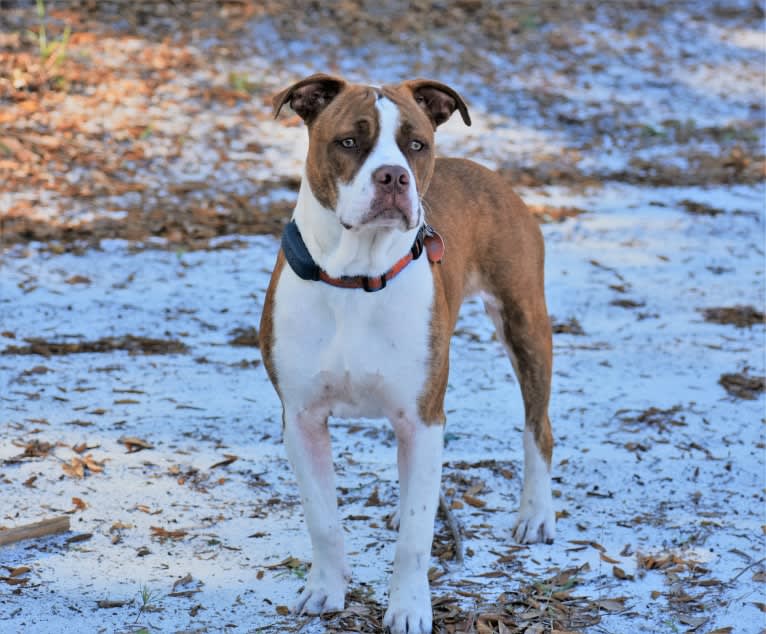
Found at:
[129, 343]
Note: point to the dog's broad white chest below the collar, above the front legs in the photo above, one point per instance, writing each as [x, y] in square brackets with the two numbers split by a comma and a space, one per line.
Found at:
[354, 353]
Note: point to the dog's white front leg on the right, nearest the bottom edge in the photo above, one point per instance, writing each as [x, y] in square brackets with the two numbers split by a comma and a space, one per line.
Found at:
[419, 452]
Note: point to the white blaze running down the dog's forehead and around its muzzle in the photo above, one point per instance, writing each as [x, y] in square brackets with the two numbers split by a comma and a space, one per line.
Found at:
[355, 198]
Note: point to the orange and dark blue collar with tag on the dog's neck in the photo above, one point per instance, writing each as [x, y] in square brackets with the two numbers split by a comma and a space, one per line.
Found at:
[304, 266]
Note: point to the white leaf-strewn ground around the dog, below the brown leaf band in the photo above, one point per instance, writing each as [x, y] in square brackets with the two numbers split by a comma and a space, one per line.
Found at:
[689, 482]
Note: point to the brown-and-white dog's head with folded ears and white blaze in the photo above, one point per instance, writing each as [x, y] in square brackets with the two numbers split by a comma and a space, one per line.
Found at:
[371, 149]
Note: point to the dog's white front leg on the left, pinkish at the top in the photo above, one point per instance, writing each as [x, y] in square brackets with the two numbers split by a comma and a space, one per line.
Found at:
[307, 441]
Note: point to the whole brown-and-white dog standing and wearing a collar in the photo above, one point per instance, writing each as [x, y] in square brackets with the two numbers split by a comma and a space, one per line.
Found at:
[371, 186]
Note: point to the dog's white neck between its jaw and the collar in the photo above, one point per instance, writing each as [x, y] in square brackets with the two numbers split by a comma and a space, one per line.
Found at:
[339, 251]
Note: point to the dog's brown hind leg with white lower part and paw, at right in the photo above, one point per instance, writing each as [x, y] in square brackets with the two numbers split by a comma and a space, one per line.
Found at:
[526, 334]
